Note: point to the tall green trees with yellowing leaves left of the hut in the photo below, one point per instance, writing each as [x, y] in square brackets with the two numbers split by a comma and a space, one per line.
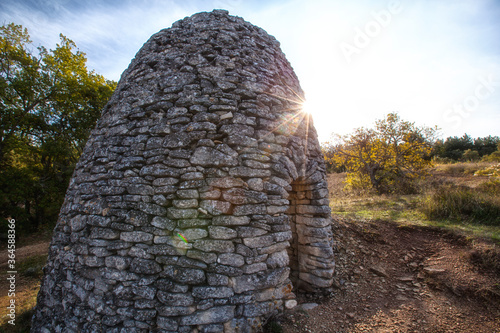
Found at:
[49, 102]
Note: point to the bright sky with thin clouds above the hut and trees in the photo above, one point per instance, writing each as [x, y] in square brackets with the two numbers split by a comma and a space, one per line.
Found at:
[435, 62]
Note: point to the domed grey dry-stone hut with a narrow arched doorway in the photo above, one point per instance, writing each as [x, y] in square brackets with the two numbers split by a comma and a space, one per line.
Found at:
[200, 201]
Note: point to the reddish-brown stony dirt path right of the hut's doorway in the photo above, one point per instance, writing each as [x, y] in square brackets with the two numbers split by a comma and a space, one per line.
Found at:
[405, 279]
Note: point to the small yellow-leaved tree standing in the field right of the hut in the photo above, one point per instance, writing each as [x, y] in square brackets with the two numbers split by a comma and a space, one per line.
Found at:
[389, 158]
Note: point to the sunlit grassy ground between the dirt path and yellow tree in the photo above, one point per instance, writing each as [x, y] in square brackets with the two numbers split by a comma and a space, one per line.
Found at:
[455, 182]
